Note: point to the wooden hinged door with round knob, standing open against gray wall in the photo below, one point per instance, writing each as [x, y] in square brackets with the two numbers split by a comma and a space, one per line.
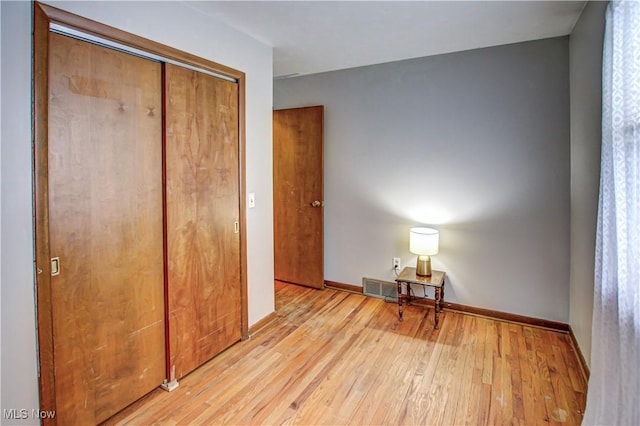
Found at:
[298, 136]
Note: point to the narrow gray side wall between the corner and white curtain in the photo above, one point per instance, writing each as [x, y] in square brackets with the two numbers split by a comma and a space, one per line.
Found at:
[586, 111]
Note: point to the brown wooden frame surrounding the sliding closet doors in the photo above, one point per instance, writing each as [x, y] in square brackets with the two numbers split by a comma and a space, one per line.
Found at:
[44, 17]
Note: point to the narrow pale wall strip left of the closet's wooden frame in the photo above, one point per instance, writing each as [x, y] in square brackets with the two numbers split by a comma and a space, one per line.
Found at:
[18, 346]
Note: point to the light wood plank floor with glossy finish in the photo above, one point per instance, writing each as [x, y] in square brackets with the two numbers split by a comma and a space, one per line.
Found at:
[332, 357]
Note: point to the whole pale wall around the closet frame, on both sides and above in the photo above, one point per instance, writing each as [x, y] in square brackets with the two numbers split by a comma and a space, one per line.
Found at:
[171, 23]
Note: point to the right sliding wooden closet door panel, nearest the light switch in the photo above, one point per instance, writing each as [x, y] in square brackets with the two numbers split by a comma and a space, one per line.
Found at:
[202, 201]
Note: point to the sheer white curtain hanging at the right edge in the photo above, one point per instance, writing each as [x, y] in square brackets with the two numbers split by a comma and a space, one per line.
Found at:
[613, 397]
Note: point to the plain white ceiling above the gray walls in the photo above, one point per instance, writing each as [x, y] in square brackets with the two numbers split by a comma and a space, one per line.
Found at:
[315, 36]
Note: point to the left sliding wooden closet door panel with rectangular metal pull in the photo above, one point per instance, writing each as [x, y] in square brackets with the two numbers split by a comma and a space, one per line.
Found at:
[105, 228]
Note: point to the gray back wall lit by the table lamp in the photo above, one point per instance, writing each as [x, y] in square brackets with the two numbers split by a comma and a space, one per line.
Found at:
[475, 144]
